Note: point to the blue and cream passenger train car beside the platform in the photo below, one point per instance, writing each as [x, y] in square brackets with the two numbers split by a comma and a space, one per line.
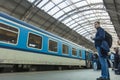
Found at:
[26, 47]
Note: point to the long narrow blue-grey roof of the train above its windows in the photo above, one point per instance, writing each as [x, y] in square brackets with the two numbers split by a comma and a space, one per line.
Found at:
[34, 27]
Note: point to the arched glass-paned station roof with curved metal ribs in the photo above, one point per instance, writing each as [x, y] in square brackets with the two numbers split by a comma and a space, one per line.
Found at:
[79, 15]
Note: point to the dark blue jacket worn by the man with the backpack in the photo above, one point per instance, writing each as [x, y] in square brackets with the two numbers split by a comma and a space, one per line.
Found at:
[100, 39]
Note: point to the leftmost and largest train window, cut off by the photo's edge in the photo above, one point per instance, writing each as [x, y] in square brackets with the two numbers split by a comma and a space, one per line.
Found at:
[8, 34]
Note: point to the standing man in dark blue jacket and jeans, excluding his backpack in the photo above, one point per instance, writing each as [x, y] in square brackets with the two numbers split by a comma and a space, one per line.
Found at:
[102, 48]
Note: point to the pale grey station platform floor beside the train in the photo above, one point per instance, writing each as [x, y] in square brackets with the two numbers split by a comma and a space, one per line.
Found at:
[87, 74]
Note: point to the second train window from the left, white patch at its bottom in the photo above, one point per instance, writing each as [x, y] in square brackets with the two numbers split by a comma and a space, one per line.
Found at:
[35, 41]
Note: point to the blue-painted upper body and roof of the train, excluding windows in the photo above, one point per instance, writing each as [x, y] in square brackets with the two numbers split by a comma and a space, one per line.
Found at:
[23, 36]
